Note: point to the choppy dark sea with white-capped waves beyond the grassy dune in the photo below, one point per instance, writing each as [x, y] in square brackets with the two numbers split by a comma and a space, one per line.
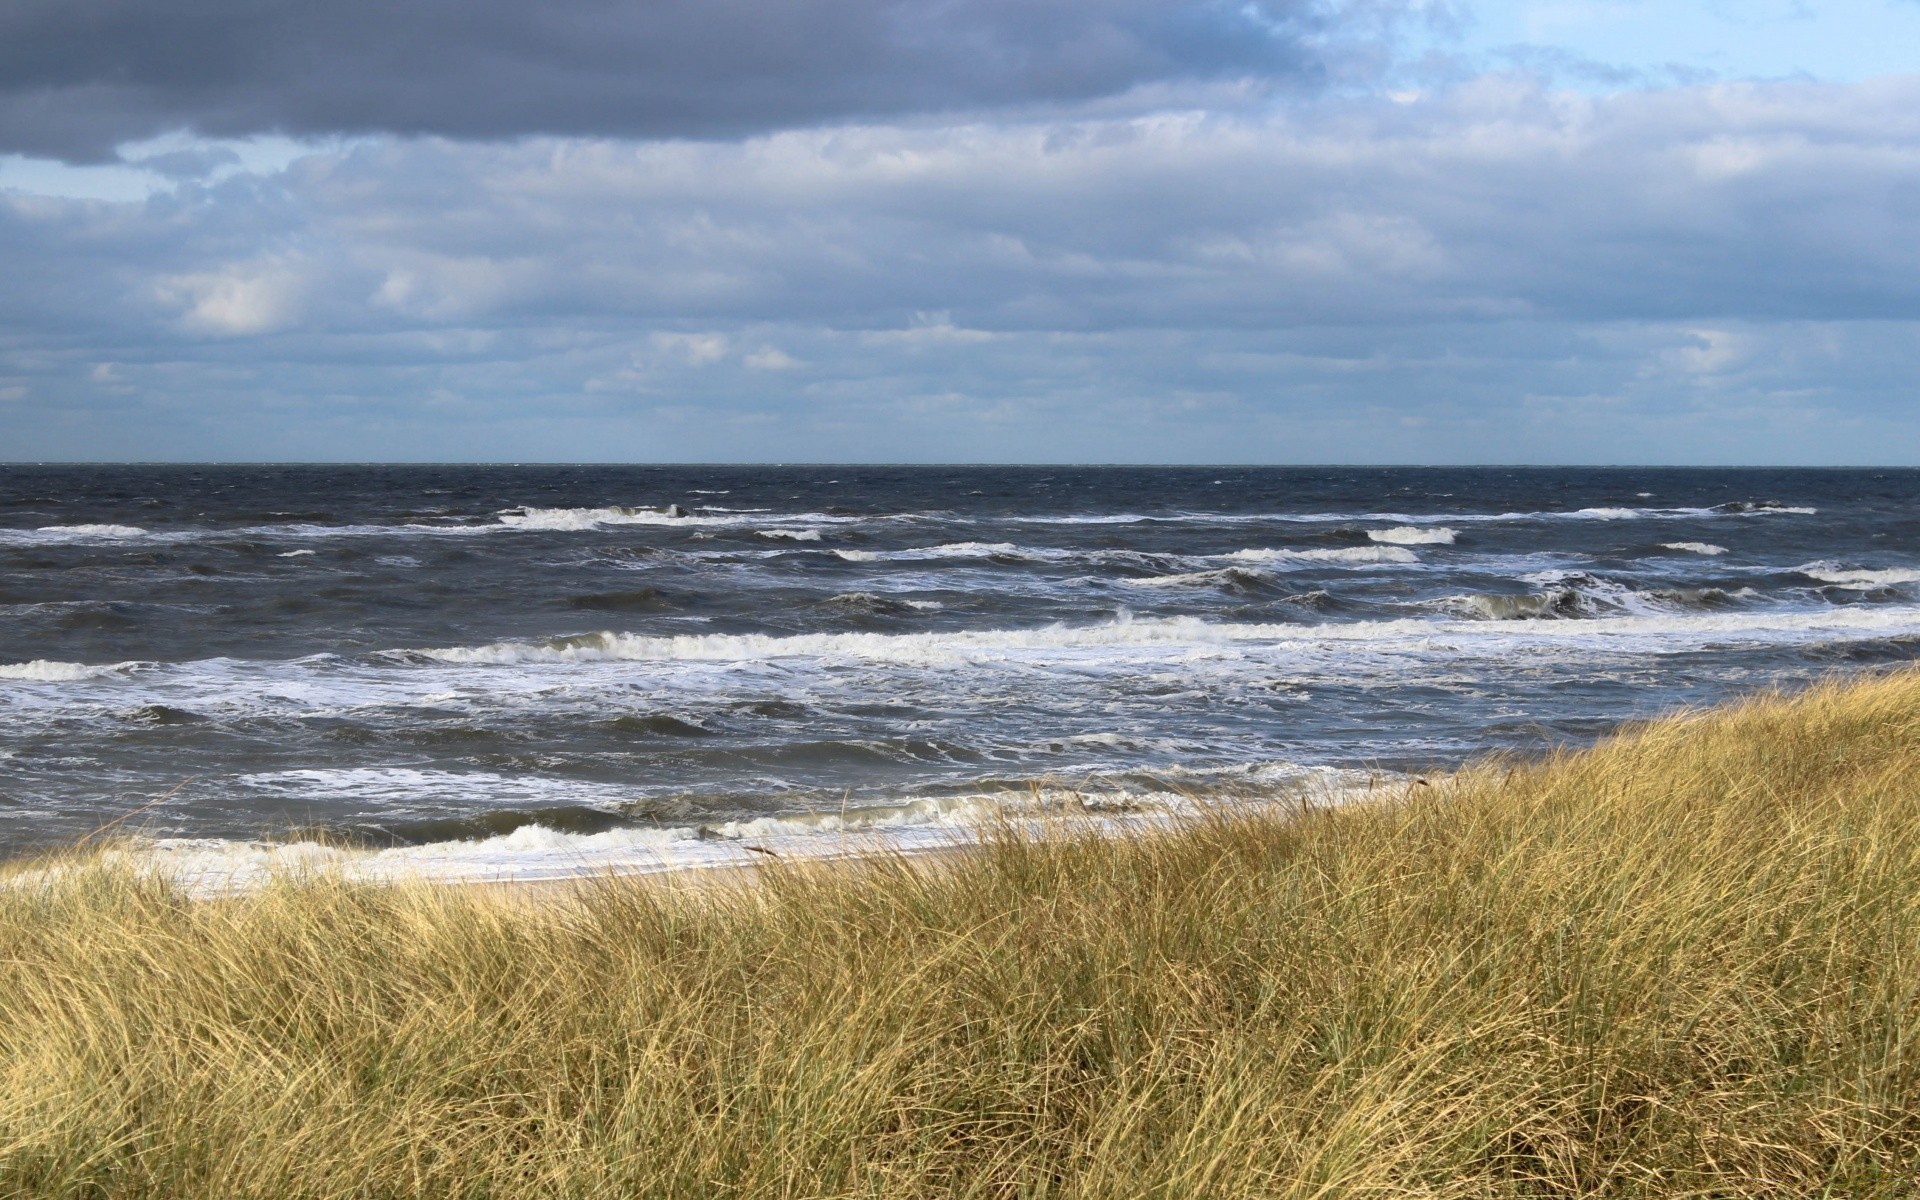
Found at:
[416, 656]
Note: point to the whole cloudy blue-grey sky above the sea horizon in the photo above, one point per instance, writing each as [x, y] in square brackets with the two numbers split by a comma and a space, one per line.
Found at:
[1109, 231]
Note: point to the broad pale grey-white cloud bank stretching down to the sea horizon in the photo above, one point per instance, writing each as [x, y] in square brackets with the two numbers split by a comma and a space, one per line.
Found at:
[1493, 272]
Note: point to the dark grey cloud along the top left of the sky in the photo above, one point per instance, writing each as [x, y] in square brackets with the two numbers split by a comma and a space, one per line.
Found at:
[84, 76]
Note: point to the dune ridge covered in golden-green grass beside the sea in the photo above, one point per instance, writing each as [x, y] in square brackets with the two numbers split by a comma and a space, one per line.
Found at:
[1683, 963]
